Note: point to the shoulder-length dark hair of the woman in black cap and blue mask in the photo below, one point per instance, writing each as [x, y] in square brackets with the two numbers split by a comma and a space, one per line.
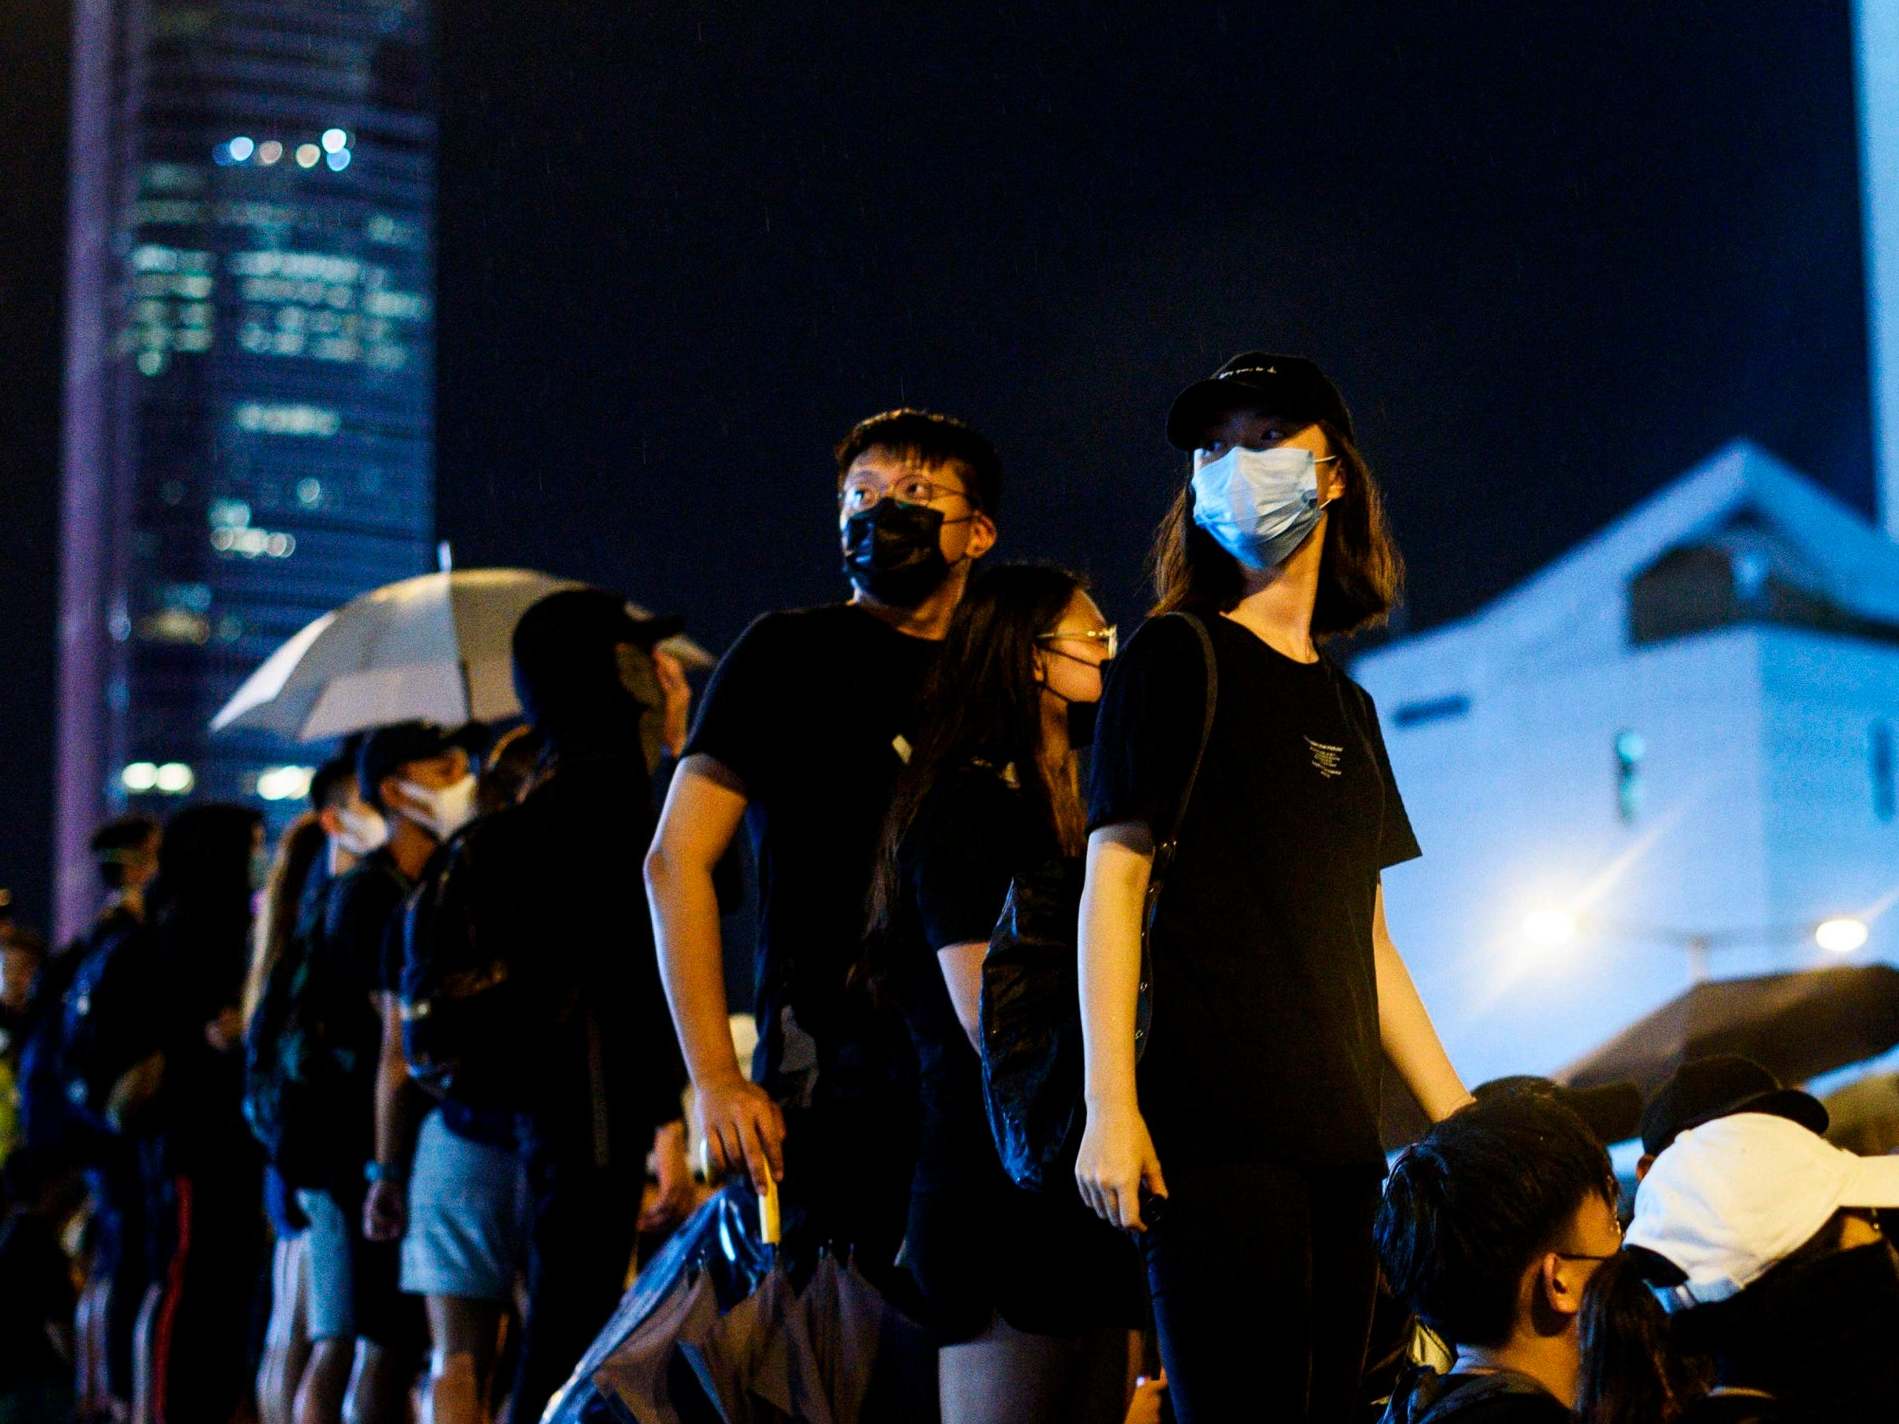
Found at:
[1359, 584]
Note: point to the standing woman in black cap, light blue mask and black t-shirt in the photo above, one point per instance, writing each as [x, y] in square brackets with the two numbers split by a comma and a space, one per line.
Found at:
[1275, 983]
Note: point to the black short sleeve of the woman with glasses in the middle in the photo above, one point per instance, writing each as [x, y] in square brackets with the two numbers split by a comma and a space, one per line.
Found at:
[960, 859]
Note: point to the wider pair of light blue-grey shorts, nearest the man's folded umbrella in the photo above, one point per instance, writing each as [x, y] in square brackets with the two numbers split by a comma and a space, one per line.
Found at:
[466, 1218]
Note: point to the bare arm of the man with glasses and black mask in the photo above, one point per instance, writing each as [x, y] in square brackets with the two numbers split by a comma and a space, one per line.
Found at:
[704, 810]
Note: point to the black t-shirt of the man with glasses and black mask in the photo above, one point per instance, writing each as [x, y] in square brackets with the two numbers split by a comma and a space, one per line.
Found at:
[812, 709]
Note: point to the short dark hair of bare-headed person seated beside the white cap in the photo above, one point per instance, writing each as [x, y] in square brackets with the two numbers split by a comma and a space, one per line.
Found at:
[1476, 1201]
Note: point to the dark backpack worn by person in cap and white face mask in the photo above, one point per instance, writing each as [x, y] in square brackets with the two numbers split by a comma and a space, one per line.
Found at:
[309, 1059]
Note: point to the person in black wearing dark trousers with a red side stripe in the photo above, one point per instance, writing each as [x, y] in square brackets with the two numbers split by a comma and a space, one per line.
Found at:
[204, 1172]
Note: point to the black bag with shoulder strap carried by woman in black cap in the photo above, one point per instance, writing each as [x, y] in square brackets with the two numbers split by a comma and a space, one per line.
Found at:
[1032, 1051]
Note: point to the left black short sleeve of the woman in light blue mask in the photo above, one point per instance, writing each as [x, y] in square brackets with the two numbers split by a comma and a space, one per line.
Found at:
[1150, 728]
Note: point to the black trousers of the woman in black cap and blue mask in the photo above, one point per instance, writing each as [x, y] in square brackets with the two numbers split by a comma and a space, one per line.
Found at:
[1264, 1281]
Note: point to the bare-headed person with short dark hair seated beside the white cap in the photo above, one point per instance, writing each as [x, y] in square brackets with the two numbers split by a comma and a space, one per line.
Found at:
[1490, 1231]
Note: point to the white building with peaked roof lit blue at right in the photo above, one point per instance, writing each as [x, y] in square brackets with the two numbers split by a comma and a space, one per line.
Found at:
[1683, 728]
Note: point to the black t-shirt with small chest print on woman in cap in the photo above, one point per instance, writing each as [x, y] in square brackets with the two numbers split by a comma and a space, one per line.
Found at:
[1266, 1034]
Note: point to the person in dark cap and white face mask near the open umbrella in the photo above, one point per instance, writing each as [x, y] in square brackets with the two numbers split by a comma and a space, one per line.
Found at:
[417, 779]
